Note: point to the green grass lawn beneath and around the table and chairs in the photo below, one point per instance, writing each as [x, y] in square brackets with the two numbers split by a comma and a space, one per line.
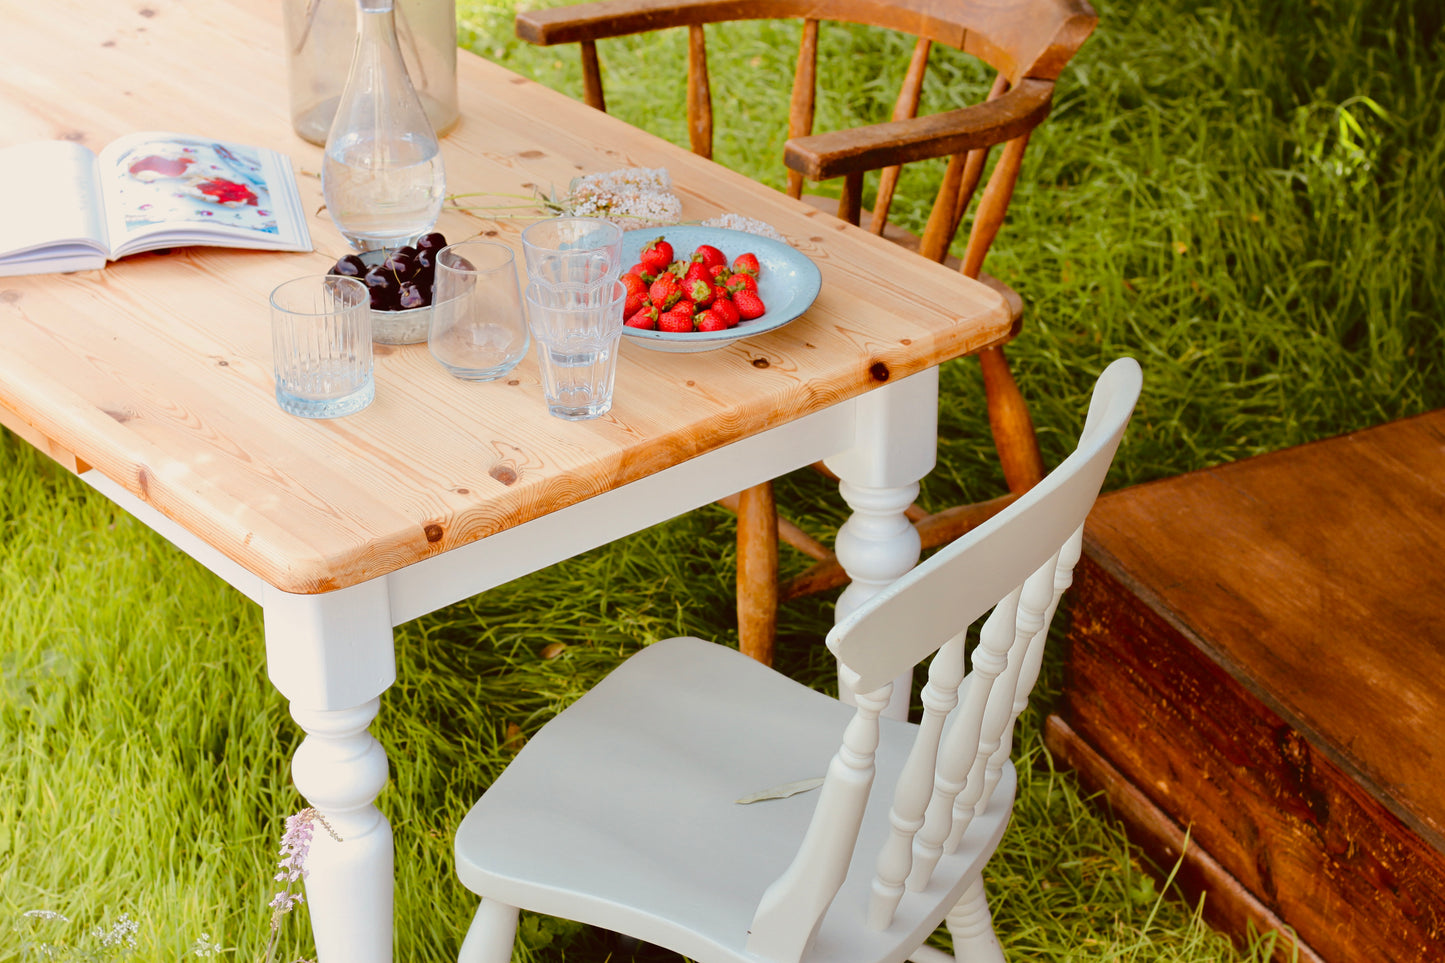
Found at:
[1249, 199]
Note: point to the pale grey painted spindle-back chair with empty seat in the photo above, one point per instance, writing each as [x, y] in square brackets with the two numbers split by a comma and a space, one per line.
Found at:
[628, 810]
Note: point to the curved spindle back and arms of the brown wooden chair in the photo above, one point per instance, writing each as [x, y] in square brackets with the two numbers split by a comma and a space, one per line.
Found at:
[1028, 43]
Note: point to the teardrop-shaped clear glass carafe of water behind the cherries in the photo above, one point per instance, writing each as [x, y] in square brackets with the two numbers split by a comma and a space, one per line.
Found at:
[382, 174]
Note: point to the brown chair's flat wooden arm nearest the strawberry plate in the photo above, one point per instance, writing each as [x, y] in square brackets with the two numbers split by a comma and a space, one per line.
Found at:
[859, 150]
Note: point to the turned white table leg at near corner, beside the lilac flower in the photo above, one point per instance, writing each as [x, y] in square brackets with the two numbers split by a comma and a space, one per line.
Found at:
[333, 657]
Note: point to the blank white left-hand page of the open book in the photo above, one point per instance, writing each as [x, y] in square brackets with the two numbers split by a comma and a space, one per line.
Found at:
[51, 200]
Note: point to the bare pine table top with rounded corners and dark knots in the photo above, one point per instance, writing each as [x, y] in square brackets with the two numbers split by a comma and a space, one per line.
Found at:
[158, 374]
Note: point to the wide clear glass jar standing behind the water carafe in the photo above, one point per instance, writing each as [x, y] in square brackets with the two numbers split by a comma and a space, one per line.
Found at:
[322, 37]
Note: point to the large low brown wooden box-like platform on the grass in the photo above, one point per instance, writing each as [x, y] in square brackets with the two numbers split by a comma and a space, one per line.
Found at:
[1258, 660]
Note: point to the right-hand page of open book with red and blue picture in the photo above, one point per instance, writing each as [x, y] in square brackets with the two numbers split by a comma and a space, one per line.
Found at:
[167, 190]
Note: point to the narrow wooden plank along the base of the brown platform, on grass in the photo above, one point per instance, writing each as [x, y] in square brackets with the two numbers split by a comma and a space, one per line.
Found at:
[1174, 854]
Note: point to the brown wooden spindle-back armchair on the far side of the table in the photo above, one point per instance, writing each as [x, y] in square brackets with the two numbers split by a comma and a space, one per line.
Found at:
[1028, 43]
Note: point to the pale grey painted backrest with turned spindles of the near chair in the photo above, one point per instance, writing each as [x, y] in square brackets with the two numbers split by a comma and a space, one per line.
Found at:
[1019, 565]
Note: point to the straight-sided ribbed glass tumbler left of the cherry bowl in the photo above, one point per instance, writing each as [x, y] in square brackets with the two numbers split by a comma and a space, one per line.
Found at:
[322, 346]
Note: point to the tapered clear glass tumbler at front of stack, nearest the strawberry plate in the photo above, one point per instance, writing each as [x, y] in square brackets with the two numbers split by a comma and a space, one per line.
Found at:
[579, 330]
